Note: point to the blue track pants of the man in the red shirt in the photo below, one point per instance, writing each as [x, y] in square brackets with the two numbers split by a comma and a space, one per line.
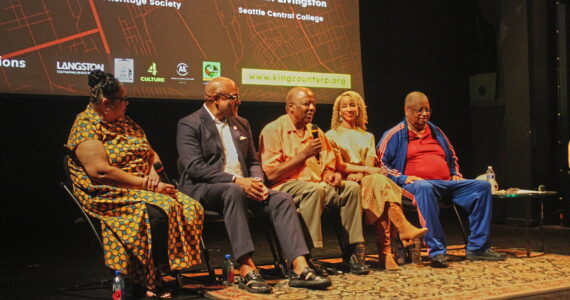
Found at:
[472, 195]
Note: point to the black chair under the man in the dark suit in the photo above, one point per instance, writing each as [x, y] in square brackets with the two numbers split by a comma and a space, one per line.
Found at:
[212, 217]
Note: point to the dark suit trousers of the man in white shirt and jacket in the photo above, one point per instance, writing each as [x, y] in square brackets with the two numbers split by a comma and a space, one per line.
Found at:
[231, 200]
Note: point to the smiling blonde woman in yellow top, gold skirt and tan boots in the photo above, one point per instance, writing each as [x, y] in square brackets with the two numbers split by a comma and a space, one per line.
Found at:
[381, 197]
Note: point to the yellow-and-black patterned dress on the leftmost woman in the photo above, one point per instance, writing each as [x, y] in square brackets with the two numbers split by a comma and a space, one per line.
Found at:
[125, 225]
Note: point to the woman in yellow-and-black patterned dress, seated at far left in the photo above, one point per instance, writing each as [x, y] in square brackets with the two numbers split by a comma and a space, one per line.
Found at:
[145, 223]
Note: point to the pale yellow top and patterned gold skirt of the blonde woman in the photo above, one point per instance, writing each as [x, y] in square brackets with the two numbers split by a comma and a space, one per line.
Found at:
[355, 146]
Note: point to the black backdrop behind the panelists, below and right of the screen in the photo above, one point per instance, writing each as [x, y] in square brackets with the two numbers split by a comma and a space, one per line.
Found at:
[432, 47]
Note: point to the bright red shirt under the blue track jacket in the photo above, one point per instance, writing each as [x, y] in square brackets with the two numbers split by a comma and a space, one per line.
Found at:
[425, 157]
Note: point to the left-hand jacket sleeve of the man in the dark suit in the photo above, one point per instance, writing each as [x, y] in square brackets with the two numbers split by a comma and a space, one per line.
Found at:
[189, 146]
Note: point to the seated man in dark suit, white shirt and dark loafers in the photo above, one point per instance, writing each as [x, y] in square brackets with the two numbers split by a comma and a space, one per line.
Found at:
[221, 170]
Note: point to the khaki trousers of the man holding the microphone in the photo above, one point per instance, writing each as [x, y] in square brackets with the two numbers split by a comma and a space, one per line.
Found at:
[311, 199]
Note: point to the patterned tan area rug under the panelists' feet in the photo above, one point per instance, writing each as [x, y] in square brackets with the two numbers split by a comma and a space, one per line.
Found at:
[462, 280]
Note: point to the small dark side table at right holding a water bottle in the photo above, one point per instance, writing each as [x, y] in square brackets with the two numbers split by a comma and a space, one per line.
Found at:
[528, 197]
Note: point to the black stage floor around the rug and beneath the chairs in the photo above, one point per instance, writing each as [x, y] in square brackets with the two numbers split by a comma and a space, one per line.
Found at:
[38, 261]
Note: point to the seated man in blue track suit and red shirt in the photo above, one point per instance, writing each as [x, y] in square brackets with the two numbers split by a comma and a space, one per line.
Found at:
[418, 156]
